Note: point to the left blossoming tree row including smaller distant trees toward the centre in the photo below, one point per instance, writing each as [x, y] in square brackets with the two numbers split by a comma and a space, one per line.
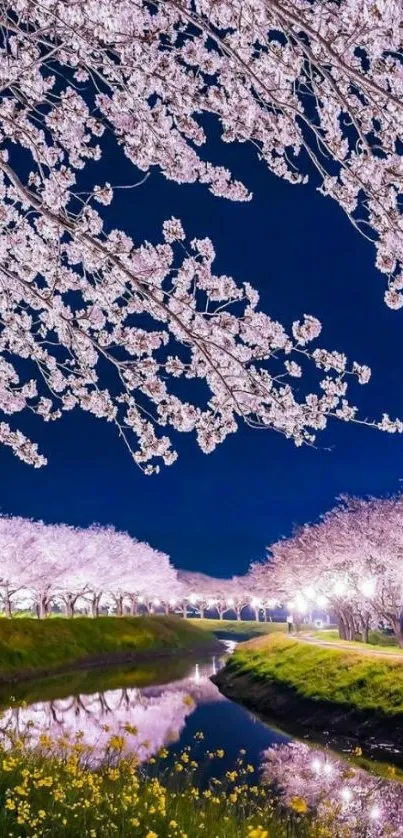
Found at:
[45, 566]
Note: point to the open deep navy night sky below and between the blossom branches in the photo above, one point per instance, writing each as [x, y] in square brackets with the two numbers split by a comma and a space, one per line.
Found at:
[216, 513]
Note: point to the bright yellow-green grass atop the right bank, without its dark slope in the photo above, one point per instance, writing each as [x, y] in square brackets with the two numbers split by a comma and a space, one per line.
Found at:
[341, 677]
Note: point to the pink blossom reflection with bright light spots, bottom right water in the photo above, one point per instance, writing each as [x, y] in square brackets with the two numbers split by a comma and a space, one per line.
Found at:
[343, 794]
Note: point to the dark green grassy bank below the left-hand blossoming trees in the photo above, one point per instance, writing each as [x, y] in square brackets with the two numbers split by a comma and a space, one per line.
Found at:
[29, 645]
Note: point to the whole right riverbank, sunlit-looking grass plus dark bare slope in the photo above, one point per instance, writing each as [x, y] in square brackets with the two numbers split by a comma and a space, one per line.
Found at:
[354, 696]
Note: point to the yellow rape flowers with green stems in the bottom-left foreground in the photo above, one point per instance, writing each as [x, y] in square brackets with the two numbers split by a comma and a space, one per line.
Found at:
[55, 789]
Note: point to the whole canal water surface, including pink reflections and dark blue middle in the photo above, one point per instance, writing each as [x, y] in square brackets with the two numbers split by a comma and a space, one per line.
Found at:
[168, 702]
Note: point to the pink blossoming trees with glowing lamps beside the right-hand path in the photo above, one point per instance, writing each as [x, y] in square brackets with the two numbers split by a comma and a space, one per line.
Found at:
[350, 562]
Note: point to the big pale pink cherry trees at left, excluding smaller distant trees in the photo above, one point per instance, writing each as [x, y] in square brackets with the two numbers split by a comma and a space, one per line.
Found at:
[48, 564]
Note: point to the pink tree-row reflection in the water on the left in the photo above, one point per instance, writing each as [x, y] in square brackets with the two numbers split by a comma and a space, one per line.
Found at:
[149, 718]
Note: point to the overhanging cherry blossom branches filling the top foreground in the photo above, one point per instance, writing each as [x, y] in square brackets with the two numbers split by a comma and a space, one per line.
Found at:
[314, 87]
